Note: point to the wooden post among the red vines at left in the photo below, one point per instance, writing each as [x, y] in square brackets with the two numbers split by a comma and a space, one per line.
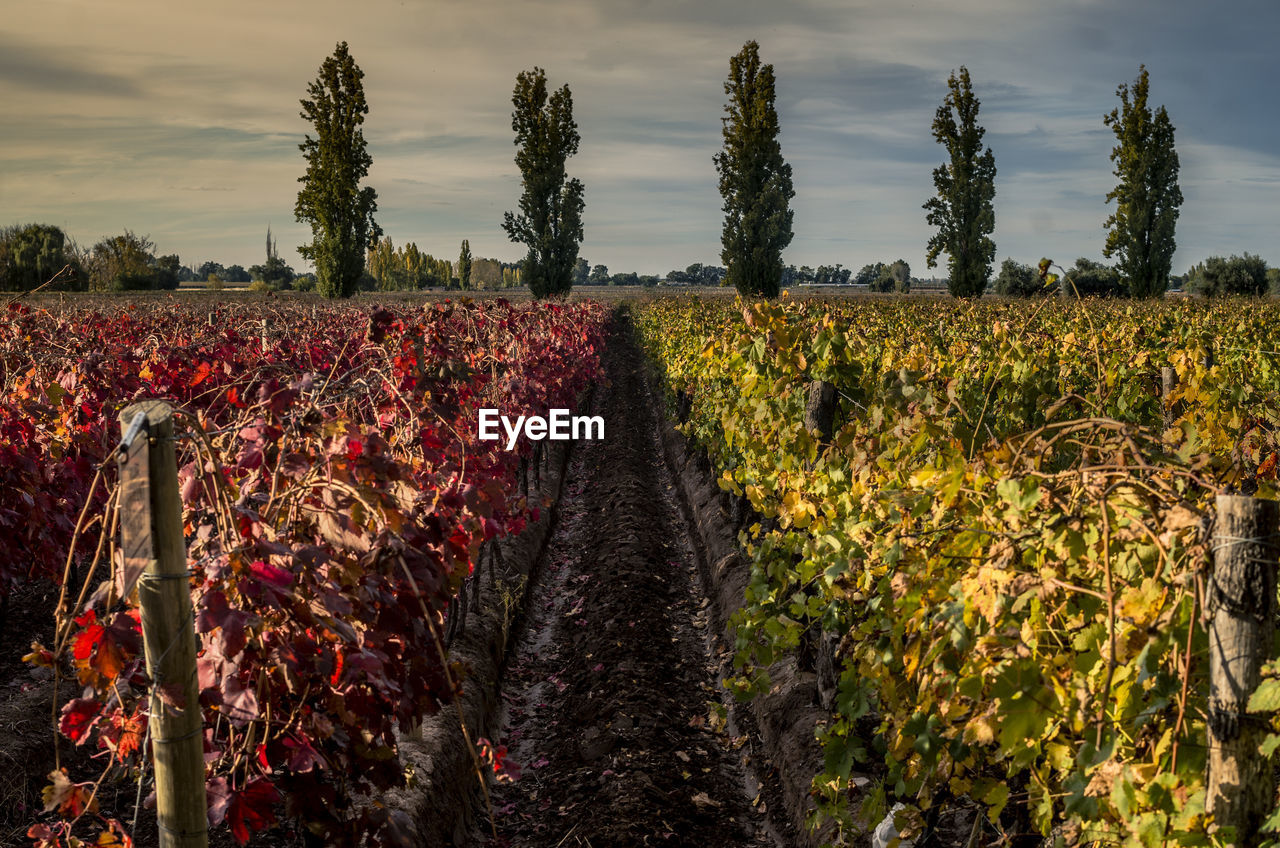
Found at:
[152, 535]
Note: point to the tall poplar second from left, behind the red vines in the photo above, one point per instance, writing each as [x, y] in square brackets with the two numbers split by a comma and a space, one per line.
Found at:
[551, 207]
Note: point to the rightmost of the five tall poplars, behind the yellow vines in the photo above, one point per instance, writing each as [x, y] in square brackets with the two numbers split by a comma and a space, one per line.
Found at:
[1141, 230]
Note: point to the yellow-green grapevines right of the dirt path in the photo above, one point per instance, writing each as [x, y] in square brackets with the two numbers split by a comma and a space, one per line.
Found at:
[1004, 540]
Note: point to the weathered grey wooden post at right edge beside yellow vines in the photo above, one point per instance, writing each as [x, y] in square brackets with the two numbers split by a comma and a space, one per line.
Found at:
[1242, 603]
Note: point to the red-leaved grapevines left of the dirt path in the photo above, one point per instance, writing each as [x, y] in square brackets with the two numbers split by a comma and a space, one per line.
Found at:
[335, 498]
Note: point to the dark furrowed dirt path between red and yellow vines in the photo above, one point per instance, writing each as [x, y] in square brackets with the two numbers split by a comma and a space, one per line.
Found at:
[612, 703]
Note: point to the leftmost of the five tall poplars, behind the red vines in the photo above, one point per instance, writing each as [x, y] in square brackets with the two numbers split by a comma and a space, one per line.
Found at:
[340, 211]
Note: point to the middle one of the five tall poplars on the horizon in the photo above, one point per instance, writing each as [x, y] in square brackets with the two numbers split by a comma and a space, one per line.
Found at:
[755, 181]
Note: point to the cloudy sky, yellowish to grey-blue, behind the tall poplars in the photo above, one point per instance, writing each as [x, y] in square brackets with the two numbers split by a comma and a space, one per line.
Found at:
[181, 121]
